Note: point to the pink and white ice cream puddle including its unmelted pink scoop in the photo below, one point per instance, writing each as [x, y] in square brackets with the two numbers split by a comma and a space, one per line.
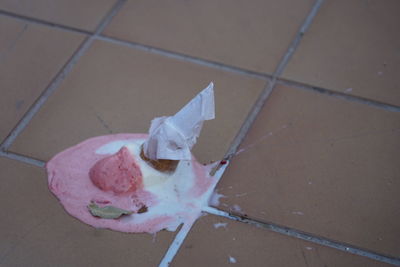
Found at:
[80, 175]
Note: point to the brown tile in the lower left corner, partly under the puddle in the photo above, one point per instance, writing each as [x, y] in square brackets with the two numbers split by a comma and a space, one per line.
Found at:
[37, 232]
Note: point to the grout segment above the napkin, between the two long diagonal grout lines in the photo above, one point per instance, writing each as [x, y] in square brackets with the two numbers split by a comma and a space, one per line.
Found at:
[183, 57]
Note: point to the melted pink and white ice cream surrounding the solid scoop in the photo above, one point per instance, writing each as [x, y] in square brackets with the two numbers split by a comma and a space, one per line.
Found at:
[171, 198]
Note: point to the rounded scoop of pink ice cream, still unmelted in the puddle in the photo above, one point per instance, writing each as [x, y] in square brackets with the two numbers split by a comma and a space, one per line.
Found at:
[118, 173]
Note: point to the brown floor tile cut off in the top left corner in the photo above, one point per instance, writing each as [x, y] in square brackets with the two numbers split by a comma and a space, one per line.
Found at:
[74, 13]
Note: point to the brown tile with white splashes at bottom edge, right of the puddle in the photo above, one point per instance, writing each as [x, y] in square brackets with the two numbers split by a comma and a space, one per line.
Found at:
[216, 241]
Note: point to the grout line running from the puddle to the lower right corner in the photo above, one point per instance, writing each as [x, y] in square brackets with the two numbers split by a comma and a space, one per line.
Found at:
[305, 236]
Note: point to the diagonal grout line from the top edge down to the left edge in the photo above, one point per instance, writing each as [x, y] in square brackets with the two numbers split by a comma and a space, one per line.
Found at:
[59, 78]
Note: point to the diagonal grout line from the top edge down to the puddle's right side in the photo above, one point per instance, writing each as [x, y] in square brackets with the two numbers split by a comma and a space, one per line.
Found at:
[271, 84]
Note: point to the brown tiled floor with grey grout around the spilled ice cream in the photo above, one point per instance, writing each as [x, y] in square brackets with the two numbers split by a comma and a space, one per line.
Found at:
[315, 177]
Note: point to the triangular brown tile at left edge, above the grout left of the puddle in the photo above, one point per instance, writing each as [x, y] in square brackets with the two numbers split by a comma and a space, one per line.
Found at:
[30, 56]
